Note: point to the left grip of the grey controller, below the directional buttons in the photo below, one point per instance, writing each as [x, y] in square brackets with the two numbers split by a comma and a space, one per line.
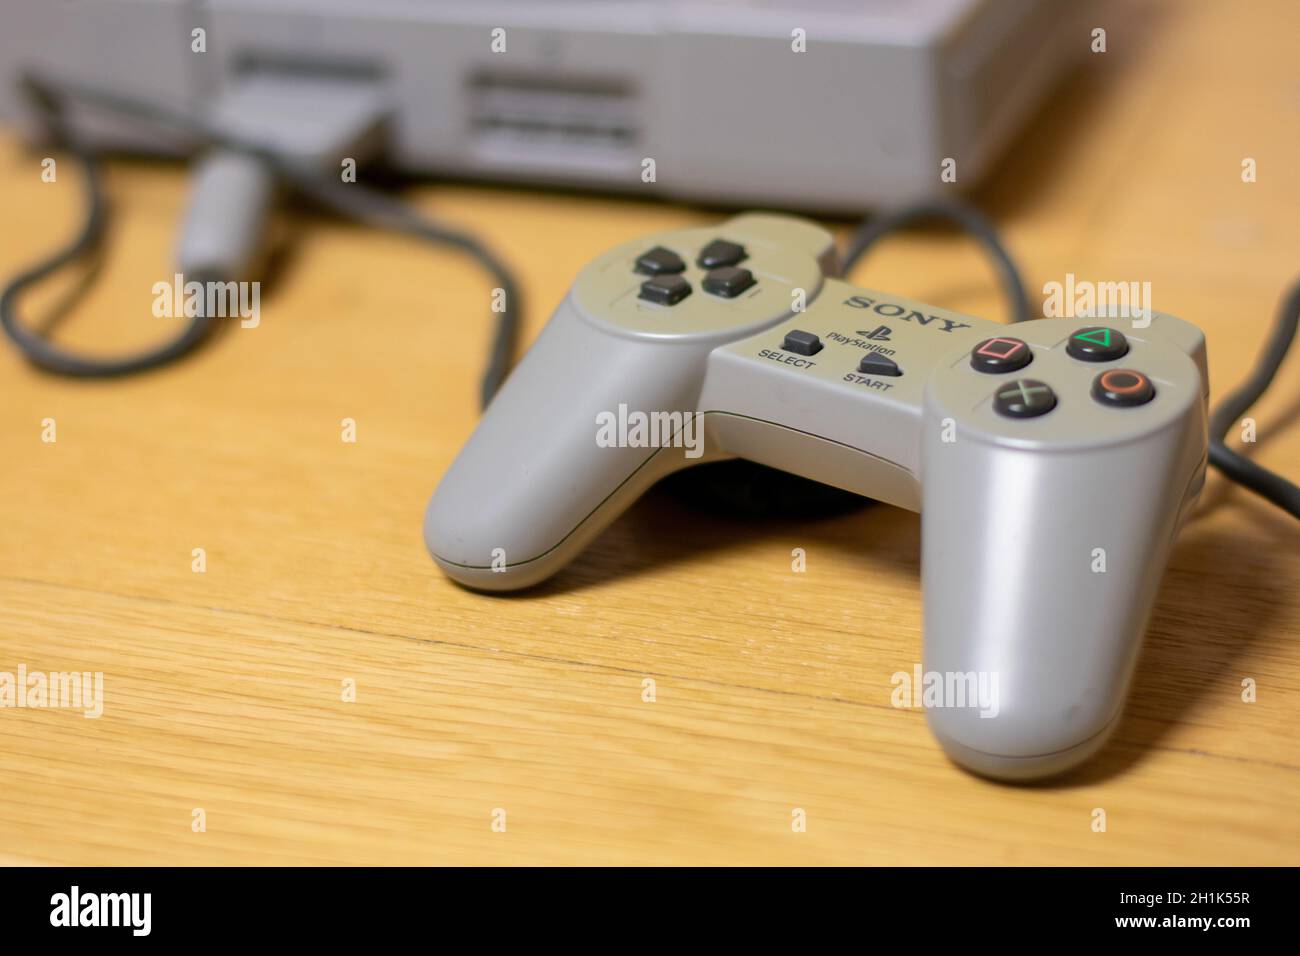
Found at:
[532, 486]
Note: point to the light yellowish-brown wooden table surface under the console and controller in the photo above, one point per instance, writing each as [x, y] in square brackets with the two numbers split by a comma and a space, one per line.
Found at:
[223, 690]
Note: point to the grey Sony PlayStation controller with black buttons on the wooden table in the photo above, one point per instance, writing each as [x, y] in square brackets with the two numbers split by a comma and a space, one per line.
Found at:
[1052, 461]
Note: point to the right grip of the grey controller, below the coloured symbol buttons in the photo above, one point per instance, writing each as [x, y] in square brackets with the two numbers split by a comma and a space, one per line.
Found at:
[1039, 572]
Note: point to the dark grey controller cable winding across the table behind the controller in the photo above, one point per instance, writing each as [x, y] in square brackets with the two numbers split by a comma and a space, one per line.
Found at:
[379, 210]
